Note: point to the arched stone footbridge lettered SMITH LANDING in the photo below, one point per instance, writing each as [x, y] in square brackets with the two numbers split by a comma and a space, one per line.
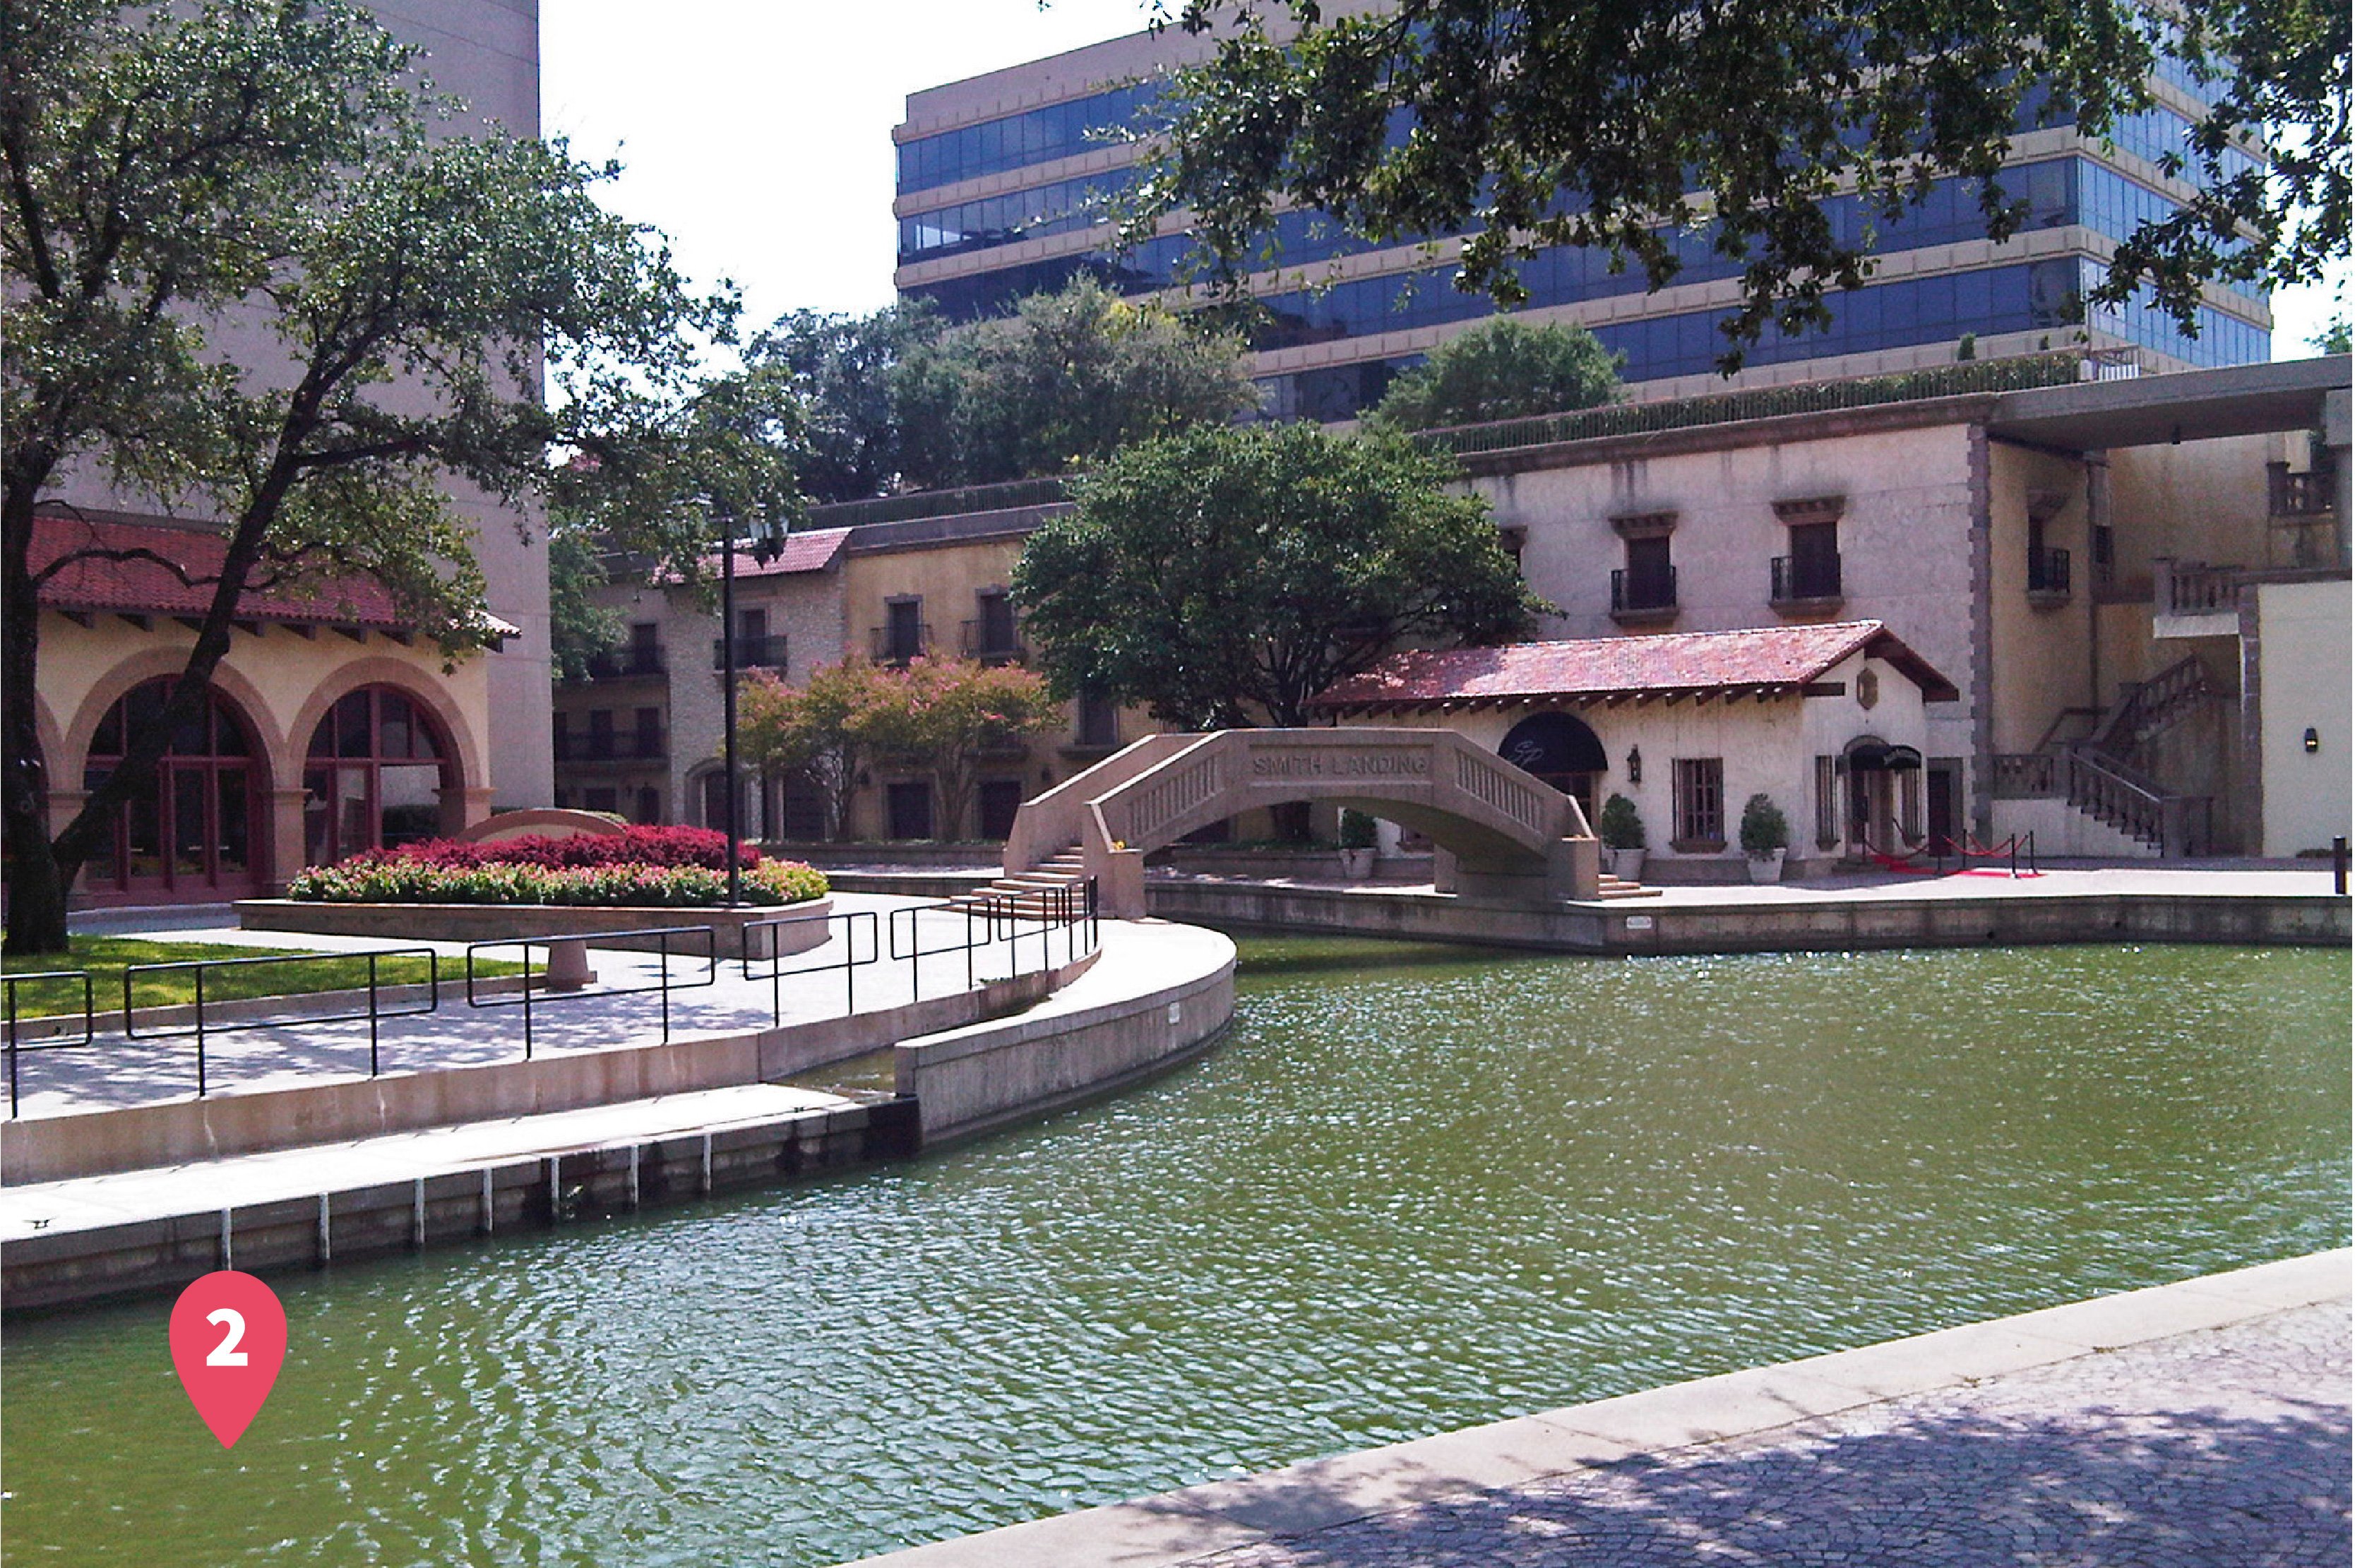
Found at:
[1508, 835]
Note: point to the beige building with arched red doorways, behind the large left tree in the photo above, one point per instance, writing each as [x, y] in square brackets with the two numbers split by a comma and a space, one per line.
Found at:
[333, 729]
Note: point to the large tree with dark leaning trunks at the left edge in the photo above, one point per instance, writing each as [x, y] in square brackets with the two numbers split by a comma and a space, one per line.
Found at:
[277, 159]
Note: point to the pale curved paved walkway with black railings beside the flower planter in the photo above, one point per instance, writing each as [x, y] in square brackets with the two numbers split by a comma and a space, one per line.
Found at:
[121, 1072]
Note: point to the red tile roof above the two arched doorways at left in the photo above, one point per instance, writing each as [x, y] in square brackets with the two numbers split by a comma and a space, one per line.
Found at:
[152, 587]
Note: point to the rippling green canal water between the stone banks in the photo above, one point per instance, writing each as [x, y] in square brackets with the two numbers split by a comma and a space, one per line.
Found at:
[1414, 1190]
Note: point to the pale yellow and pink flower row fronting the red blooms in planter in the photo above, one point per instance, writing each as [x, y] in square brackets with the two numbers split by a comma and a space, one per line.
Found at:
[406, 879]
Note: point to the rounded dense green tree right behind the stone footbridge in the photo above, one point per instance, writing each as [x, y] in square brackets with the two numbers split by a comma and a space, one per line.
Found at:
[1233, 573]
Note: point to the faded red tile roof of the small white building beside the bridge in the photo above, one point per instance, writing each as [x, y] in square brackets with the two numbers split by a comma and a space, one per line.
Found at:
[1767, 660]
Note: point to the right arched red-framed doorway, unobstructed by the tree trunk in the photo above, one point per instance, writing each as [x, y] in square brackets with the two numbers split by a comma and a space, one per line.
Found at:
[373, 776]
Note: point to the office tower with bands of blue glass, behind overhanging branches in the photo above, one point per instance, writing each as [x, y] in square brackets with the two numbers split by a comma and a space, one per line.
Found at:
[1002, 180]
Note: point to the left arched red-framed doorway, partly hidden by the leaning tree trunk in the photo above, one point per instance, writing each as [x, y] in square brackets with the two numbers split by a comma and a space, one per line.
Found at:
[192, 832]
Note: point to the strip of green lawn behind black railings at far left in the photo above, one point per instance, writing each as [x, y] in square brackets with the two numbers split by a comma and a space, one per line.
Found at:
[107, 959]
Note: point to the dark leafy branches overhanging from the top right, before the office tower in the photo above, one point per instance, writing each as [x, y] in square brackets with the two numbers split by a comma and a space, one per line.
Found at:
[1598, 124]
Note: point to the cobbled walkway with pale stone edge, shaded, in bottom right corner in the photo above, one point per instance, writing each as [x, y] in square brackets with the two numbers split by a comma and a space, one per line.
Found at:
[2196, 1426]
